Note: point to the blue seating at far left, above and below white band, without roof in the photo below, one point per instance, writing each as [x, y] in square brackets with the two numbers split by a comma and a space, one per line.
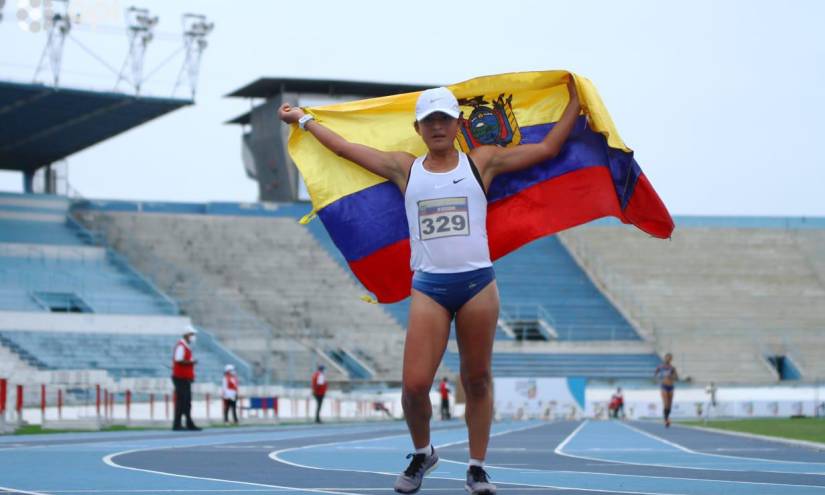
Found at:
[48, 262]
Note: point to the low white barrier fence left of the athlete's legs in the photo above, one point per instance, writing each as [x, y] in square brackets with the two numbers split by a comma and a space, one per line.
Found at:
[66, 406]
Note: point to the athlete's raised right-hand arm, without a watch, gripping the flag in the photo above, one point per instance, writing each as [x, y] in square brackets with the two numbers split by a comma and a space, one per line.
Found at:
[493, 160]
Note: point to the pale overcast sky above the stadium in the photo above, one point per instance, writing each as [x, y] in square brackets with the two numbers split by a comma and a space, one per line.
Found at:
[722, 100]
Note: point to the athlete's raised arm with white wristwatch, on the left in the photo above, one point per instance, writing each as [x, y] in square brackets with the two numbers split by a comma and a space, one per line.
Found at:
[394, 166]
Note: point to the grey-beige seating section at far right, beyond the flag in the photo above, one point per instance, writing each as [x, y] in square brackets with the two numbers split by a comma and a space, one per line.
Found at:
[721, 298]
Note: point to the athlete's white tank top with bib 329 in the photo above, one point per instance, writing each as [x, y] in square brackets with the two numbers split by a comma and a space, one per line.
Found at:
[447, 216]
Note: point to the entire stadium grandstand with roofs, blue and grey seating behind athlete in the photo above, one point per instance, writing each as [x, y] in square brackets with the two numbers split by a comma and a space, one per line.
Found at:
[96, 291]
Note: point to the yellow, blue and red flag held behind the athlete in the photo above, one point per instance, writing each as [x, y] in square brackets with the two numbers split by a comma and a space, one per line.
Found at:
[593, 176]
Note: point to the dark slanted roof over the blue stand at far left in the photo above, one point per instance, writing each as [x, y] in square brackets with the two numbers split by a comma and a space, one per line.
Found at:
[41, 124]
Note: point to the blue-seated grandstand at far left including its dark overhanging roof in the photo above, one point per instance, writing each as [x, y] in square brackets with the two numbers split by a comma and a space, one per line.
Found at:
[66, 301]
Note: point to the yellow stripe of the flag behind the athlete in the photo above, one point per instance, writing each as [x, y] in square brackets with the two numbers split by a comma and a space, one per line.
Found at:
[386, 123]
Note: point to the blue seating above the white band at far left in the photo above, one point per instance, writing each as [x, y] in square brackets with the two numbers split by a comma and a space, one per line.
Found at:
[30, 282]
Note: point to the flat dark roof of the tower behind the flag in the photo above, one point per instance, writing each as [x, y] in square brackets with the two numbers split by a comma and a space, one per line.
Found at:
[267, 87]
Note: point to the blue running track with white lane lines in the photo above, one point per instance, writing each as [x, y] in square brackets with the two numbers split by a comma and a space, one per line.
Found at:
[589, 457]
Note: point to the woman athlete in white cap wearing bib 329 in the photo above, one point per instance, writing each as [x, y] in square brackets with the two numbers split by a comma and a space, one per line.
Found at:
[446, 205]
